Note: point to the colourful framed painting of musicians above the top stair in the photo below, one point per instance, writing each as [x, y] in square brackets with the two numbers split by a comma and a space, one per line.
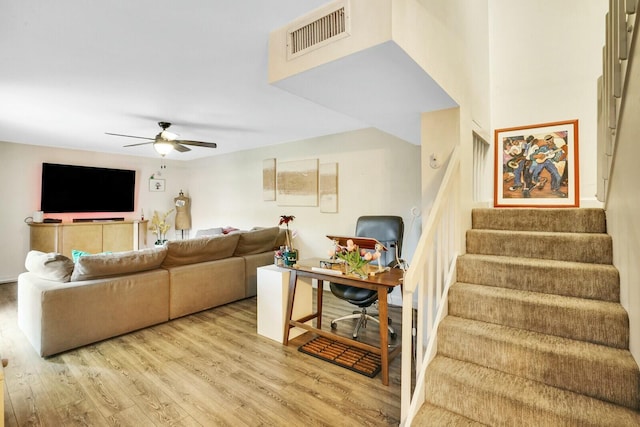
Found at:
[537, 166]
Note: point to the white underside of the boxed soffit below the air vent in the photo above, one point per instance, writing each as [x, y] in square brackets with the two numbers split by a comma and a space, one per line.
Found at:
[381, 86]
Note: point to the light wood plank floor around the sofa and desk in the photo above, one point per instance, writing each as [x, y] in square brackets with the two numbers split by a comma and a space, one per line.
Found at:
[207, 369]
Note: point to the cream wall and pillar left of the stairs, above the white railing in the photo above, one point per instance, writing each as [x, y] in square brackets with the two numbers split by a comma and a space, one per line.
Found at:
[449, 40]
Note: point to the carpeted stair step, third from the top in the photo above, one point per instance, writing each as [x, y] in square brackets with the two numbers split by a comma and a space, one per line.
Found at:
[577, 279]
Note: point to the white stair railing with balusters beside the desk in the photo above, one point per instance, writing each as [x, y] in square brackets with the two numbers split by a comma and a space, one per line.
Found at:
[425, 288]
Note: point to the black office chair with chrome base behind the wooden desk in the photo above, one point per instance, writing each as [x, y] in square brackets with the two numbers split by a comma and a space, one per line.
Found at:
[389, 231]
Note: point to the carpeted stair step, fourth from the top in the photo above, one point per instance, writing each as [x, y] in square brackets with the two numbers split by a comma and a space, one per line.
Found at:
[598, 322]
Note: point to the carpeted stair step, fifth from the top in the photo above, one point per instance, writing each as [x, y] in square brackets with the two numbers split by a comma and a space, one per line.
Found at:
[598, 371]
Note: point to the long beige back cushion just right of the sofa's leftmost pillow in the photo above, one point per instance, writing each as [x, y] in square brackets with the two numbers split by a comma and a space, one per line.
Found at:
[118, 263]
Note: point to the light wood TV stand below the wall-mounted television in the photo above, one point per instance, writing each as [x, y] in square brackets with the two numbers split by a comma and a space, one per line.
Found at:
[92, 237]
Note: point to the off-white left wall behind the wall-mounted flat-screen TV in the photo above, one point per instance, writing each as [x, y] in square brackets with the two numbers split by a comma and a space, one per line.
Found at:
[20, 180]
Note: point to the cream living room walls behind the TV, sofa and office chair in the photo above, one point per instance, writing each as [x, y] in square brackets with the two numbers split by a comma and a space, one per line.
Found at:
[378, 174]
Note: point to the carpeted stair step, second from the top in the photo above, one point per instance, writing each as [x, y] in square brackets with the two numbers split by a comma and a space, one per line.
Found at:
[577, 247]
